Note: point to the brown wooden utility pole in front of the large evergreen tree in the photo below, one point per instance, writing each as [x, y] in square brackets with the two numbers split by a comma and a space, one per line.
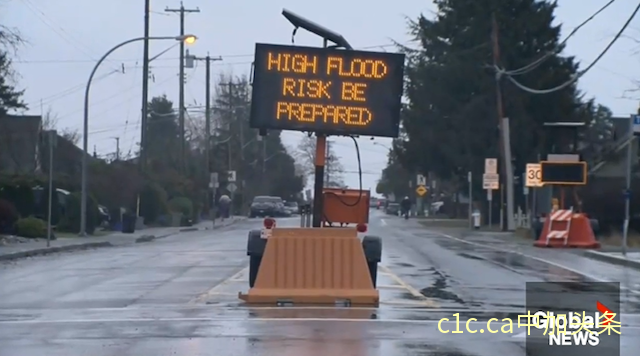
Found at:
[507, 214]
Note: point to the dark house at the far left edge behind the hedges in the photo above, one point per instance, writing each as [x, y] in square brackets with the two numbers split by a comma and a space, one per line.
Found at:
[19, 140]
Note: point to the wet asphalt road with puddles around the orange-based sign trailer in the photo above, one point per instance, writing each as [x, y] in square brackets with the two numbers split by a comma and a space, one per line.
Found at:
[178, 296]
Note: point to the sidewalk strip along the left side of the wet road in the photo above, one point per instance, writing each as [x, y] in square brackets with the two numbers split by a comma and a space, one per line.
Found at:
[64, 244]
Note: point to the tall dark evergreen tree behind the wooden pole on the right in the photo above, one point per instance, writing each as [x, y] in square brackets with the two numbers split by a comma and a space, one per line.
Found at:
[450, 119]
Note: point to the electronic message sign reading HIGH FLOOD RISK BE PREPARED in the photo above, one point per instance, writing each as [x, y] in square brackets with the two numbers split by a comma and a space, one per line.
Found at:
[326, 90]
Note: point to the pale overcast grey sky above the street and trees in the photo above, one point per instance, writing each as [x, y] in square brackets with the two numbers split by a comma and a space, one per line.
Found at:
[66, 37]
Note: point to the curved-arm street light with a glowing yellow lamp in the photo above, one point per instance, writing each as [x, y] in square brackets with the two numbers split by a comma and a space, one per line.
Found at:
[189, 39]
